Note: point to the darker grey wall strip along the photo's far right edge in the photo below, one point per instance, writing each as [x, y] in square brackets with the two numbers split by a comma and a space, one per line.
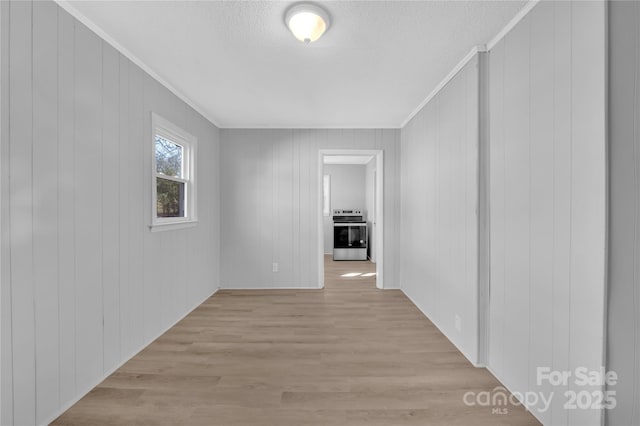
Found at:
[623, 324]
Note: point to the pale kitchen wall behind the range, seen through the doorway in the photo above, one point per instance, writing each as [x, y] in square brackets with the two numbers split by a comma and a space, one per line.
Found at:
[347, 192]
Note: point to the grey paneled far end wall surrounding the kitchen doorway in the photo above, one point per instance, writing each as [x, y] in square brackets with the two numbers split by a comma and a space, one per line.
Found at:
[270, 203]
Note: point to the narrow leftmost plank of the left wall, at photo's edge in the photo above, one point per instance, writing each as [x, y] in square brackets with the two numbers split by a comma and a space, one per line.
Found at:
[6, 350]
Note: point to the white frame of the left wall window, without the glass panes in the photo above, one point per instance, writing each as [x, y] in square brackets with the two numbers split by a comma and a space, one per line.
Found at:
[167, 130]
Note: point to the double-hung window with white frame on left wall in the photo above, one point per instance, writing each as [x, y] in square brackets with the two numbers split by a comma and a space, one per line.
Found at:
[173, 176]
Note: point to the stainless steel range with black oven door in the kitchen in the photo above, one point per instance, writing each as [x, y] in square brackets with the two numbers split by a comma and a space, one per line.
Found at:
[349, 235]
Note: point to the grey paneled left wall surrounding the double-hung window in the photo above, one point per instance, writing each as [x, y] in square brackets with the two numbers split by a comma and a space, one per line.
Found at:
[85, 284]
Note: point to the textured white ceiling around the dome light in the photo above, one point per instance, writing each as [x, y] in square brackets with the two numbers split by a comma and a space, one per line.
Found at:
[237, 62]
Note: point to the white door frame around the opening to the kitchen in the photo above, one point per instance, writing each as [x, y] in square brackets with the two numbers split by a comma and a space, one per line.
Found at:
[379, 234]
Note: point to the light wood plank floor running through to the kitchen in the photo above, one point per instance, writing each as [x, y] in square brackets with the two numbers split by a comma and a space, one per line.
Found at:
[346, 355]
